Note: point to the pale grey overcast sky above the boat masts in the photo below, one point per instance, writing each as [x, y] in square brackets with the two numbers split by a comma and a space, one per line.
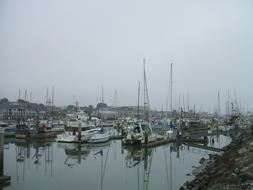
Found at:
[80, 45]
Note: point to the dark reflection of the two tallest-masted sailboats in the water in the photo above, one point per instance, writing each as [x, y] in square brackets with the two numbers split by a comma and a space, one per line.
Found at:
[141, 159]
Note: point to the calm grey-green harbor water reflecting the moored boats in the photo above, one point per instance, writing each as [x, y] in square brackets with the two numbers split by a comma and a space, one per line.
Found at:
[110, 166]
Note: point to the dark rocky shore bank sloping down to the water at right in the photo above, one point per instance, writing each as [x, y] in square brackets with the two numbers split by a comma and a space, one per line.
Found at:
[232, 170]
